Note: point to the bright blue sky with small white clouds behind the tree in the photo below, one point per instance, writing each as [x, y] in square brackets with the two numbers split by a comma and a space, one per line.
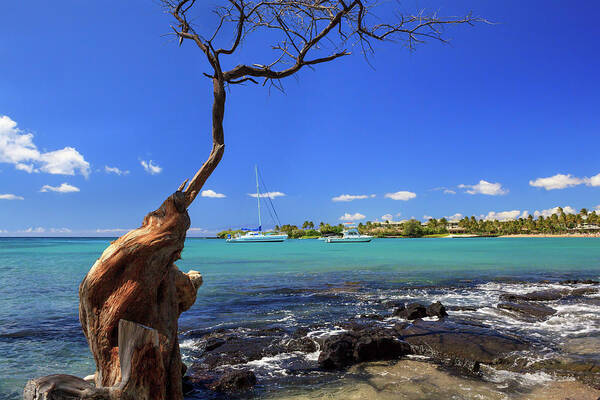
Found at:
[467, 128]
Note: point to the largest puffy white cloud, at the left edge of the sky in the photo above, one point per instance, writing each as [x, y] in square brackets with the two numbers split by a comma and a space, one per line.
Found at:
[17, 148]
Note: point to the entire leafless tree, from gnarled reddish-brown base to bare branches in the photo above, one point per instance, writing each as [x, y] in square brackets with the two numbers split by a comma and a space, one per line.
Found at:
[132, 297]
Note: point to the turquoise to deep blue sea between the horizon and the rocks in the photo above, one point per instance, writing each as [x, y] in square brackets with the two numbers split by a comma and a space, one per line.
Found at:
[274, 284]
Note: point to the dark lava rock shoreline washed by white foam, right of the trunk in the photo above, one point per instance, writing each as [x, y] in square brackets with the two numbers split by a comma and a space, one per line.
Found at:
[240, 361]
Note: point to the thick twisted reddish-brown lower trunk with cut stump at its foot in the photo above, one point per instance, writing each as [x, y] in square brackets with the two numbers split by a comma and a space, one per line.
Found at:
[129, 304]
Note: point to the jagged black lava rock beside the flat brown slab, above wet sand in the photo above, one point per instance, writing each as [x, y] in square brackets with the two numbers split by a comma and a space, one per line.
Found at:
[367, 345]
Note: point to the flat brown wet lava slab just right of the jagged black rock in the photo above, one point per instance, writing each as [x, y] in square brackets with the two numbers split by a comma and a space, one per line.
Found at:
[459, 345]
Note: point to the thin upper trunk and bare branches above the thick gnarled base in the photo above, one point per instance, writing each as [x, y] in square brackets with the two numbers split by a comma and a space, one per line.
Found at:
[305, 33]
